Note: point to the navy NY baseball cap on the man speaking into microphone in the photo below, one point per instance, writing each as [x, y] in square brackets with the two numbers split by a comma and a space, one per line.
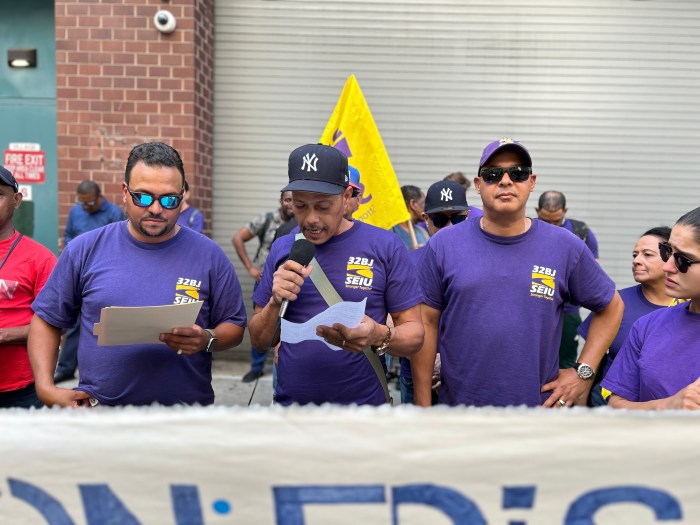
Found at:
[319, 169]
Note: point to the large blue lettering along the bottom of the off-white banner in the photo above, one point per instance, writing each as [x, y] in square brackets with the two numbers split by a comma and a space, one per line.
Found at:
[102, 506]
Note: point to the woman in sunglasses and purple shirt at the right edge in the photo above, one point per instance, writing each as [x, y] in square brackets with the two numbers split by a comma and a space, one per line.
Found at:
[658, 366]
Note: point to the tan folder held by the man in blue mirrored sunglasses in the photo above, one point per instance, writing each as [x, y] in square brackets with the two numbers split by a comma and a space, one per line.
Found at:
[128, 325]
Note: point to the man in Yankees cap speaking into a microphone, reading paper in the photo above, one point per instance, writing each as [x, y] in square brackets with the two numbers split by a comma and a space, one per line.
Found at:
[361, 262]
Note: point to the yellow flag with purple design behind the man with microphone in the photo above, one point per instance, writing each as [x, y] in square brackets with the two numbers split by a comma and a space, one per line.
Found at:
[351, 129]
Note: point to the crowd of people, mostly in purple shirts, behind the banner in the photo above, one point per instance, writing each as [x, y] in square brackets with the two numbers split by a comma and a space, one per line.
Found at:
[481, 305]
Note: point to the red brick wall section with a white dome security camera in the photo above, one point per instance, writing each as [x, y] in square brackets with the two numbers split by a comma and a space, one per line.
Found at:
[121, 82]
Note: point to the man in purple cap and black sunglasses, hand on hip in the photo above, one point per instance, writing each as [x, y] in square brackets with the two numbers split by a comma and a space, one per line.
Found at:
[494, 291]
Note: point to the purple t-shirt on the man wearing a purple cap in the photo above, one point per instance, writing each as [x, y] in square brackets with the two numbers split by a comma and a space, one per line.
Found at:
[501, 320]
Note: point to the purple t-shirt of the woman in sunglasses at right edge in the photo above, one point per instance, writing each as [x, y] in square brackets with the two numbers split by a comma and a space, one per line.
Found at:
[659, 357]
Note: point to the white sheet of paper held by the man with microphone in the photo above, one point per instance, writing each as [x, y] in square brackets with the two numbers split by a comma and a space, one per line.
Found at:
[346, 313]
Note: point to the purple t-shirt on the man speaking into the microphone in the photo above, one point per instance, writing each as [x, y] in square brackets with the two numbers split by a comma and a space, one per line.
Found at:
[364, 261]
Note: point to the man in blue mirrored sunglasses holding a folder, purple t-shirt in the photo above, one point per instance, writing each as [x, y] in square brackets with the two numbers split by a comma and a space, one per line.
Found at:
[148, 260]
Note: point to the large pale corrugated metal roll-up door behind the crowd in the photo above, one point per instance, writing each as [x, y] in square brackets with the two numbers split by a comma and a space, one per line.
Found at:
[604, 94]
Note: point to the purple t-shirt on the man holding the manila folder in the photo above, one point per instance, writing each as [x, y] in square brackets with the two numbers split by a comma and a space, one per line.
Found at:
[109, 267]
